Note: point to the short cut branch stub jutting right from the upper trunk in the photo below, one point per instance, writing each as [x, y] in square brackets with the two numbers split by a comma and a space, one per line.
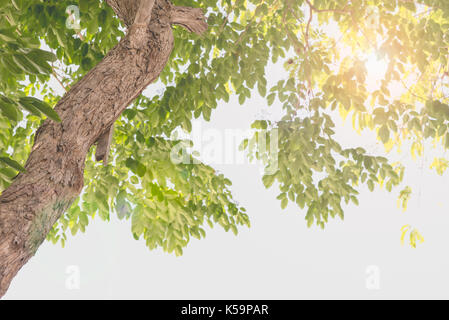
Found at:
[192, 19]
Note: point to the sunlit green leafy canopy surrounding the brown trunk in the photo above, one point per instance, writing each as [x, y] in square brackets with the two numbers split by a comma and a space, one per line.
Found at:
[326, 71]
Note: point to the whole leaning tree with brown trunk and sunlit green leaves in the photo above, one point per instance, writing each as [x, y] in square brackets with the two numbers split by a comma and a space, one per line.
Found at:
[105, 53]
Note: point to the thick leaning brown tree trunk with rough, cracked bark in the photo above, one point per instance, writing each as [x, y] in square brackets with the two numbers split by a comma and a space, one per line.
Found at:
[54, 171]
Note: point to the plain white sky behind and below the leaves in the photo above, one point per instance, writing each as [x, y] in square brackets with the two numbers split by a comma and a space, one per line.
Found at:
[279, 257]
